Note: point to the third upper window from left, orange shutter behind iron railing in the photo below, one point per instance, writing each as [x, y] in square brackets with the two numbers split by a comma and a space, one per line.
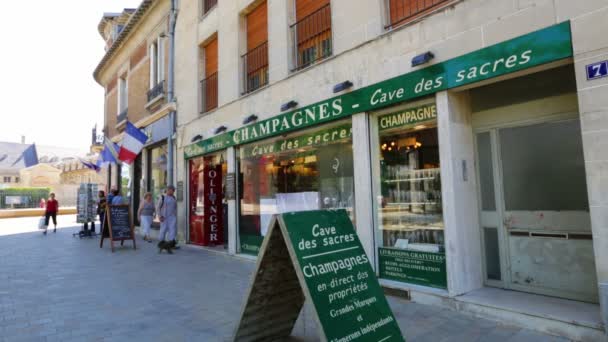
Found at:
[311, 33]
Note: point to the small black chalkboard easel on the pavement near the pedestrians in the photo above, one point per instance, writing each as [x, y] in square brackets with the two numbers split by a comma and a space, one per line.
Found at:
[118, 225]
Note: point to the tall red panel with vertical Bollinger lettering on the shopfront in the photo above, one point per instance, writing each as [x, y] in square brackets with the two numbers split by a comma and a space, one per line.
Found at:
[208, 207]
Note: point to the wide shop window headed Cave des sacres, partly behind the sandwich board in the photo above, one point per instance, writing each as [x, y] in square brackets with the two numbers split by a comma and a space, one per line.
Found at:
[308, 171]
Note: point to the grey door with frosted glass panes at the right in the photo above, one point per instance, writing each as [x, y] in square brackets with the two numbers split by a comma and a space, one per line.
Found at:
[536, 229]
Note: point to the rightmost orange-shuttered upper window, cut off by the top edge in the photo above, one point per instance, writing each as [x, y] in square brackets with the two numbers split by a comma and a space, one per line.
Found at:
[402, 11]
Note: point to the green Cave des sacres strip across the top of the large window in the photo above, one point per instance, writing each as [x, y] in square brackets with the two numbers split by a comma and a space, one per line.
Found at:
[322, 137]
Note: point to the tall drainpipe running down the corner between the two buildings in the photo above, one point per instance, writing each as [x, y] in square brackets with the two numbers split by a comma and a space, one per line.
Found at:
[170, 92]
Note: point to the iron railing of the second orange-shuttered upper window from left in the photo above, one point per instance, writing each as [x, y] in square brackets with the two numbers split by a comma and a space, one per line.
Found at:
[255, 66]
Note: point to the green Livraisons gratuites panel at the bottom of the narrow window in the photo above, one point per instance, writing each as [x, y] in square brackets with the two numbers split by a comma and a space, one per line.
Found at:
[421, 268]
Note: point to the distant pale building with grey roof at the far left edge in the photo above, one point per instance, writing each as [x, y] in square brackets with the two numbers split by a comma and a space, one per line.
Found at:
[13, 158]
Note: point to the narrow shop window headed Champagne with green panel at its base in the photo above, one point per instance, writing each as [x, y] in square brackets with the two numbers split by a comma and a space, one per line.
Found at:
[408, 190]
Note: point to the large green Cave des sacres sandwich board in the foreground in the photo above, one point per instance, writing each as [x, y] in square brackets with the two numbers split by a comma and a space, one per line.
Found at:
[315, 255]
